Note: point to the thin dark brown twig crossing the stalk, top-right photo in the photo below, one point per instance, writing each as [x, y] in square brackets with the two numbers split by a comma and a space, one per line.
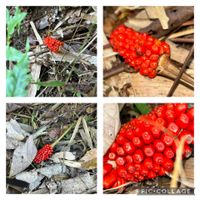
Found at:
[176, 82]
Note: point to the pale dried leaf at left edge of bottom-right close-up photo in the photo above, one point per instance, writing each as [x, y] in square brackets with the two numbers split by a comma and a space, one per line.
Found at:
[111, 124]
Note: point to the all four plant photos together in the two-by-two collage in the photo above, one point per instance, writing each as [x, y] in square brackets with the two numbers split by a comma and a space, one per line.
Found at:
[52, 52]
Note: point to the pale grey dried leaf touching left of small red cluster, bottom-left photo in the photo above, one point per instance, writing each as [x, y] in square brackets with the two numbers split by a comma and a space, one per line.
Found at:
[23, 156]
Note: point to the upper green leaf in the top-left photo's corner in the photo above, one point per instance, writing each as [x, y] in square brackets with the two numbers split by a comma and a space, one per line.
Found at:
[13, 22]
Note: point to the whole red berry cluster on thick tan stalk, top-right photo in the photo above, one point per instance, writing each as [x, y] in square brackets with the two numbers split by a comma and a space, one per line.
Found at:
[140, 50]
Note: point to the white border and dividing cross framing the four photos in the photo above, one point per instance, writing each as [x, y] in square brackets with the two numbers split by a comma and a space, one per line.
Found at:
[100, 100]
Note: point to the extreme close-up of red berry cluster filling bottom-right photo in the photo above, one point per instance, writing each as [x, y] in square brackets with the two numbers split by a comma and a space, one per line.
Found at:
[145, 147]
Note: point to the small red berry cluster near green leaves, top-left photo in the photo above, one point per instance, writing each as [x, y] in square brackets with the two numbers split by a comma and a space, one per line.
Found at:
[53, 44]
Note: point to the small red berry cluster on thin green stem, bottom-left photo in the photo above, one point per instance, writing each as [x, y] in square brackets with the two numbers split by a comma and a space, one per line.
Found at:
[43, 154]
